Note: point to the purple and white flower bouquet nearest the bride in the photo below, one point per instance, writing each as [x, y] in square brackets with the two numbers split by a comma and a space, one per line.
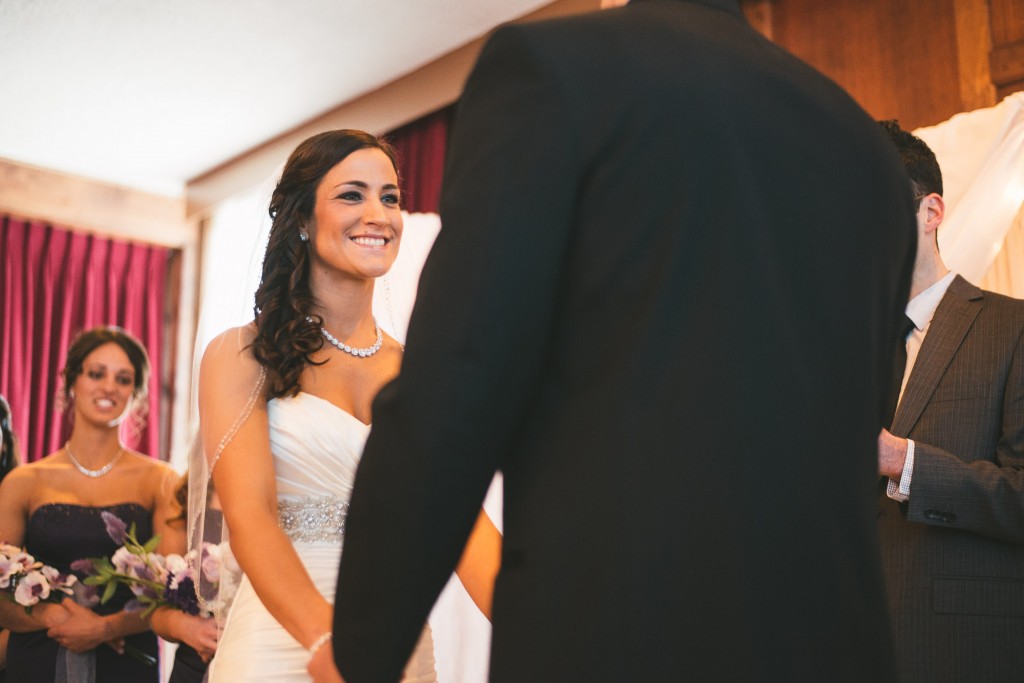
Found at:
[156, 581]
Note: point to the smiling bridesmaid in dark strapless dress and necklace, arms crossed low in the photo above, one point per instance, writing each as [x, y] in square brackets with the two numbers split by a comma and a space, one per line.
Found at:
[53, 507]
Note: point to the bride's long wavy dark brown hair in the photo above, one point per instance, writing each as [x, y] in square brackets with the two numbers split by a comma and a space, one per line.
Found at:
[285, 340]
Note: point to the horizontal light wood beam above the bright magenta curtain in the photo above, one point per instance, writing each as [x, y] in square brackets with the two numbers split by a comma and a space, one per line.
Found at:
[93, 206]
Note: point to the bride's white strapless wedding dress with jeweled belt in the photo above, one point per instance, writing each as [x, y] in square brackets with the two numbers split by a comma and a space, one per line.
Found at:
[317, 448]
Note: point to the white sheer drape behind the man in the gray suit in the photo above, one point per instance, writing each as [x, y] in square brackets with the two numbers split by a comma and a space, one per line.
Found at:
[983, 158]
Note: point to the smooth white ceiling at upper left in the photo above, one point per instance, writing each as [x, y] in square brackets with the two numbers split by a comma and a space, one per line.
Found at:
[150, 95]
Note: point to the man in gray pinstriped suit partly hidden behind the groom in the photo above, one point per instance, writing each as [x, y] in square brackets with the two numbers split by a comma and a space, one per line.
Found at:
[953, 509]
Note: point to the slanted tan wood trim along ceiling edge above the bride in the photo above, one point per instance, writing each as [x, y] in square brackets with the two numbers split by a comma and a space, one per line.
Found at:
[428, 90]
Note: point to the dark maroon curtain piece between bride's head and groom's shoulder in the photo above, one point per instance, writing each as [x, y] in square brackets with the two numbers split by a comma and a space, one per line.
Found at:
[421, 146]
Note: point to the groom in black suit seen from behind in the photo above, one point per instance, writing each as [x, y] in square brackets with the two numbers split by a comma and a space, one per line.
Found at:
[672, 261]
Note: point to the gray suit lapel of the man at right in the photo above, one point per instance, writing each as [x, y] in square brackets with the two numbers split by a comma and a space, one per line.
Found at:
[951, 324]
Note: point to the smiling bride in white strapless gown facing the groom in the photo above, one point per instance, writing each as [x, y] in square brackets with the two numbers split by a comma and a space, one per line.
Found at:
[285, 409]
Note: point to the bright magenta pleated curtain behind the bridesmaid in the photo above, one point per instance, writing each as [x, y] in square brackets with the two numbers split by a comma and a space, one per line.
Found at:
[54, 284]
